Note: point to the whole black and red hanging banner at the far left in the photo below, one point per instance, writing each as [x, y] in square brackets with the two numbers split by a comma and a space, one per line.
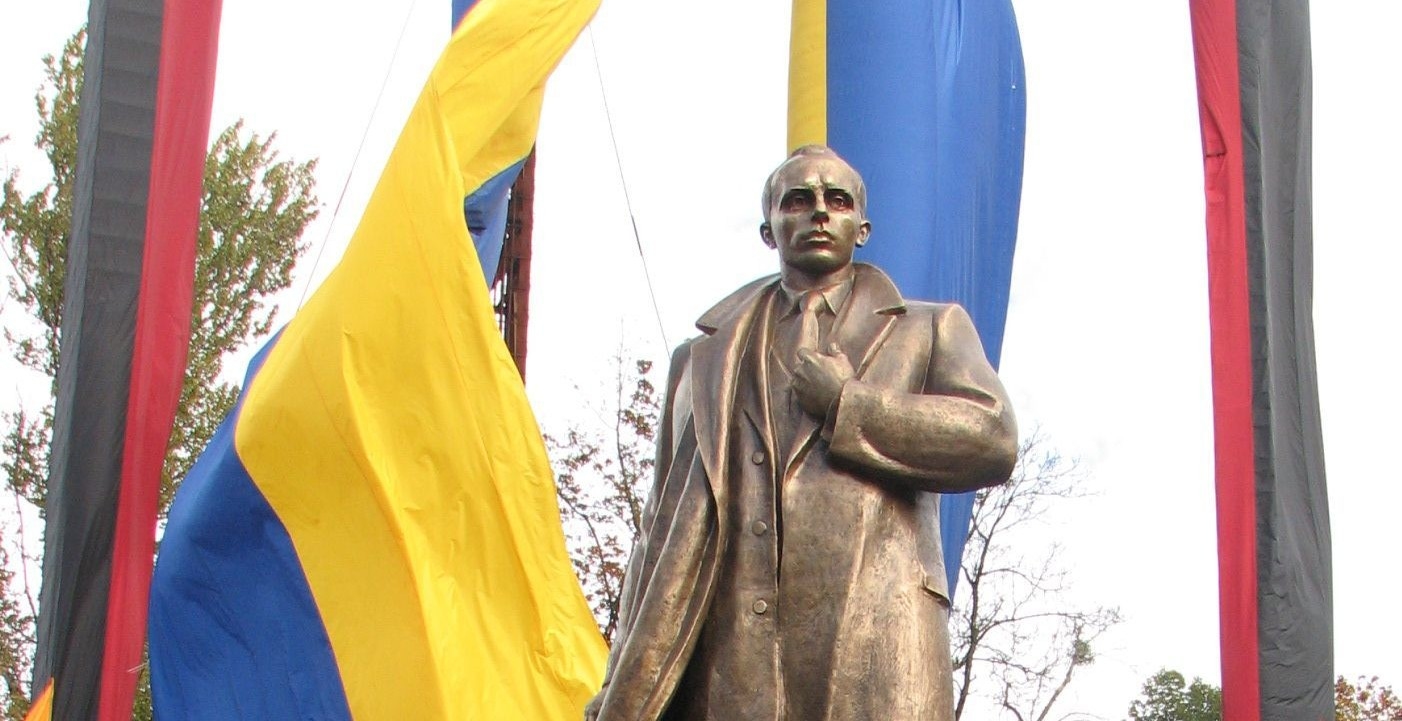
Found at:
[144, 131]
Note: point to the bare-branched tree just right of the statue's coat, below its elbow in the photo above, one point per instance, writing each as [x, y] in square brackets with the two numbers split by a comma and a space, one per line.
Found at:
[1017, 640]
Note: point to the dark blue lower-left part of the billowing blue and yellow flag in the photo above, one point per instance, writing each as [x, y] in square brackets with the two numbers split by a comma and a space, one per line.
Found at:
[252, 615]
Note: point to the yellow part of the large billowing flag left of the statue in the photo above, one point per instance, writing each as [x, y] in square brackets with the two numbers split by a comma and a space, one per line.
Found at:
[390, 433]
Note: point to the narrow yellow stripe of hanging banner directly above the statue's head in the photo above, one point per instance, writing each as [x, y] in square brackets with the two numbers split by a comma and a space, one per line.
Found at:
[808, 75]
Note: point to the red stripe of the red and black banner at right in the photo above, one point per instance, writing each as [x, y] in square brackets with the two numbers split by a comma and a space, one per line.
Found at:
[1219, 99]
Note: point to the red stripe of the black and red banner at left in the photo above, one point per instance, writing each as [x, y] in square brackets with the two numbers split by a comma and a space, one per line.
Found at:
[184, 95]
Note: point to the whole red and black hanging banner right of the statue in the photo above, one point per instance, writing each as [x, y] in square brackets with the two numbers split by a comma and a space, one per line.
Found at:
[1272, 507]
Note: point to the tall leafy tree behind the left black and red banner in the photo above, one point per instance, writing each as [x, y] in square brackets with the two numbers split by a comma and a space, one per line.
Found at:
[254, 210]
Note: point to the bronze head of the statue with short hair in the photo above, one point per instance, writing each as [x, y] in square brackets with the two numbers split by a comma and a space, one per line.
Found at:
[815, 213]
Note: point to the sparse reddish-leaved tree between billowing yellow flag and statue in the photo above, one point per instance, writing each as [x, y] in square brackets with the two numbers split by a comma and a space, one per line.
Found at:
[602, 482]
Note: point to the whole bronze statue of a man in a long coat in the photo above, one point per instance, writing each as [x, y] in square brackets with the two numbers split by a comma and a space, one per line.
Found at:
[790, 563]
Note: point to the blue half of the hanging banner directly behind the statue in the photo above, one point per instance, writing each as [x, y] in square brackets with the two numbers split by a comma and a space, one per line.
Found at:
[927, 100]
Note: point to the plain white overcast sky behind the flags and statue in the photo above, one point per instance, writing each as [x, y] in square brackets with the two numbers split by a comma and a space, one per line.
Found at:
[1107, 342]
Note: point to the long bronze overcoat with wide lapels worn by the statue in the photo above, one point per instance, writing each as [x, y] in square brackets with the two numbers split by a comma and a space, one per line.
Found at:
[925, 415]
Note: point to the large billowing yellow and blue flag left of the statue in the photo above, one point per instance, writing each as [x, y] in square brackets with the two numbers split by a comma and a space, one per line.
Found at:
[374, 531]
